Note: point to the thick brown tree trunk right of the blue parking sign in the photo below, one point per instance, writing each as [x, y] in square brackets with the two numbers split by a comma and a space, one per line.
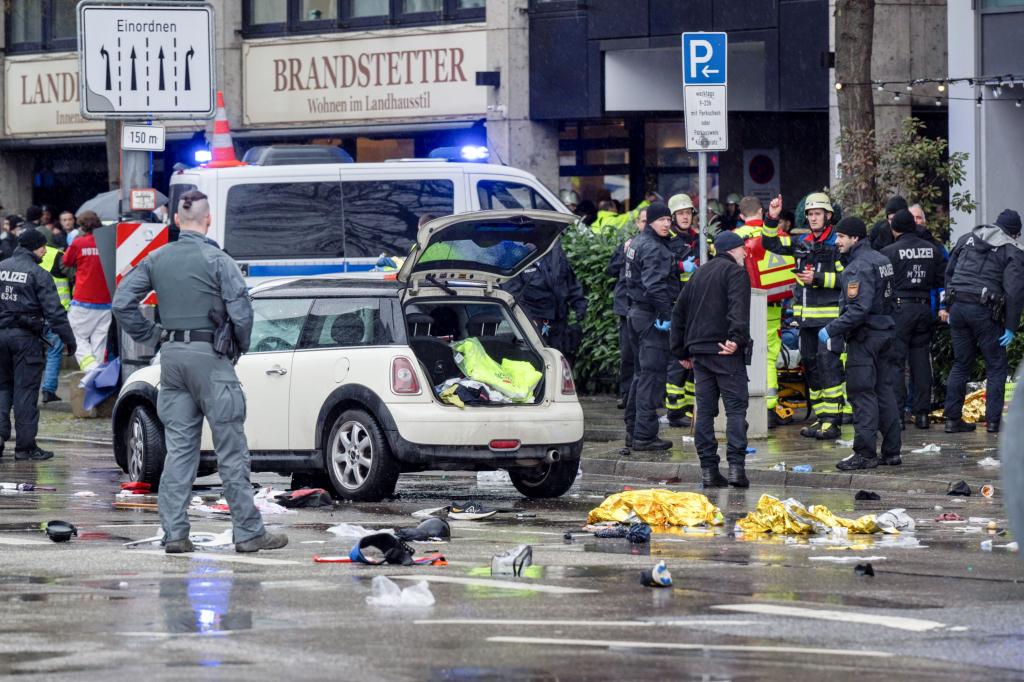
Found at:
[855, 39]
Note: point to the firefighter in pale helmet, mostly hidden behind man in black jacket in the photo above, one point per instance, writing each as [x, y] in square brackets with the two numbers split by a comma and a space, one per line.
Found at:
[679, 390]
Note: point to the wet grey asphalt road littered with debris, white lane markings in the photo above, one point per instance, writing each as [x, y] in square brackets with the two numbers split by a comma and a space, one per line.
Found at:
[92, 610]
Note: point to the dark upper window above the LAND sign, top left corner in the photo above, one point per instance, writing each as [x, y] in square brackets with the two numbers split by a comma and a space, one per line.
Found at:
[34, 26]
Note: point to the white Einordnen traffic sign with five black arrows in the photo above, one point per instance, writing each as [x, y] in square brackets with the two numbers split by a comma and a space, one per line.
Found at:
[154, 61]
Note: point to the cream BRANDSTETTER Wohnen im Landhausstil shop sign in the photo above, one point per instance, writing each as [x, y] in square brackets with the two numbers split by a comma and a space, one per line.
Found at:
[365, 79]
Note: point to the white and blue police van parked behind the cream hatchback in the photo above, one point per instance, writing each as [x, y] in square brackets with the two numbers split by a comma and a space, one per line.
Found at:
[309, 210]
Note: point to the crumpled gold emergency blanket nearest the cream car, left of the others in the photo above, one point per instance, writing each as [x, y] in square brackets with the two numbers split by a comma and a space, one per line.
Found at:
[658, 507]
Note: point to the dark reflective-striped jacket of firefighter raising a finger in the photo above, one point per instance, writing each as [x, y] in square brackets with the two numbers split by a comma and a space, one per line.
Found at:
[817, 305]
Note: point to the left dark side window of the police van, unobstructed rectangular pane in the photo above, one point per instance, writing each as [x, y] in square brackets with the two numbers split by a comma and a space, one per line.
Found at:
[284, 221]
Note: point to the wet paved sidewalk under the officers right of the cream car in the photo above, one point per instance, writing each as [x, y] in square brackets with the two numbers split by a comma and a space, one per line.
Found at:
[921, 474]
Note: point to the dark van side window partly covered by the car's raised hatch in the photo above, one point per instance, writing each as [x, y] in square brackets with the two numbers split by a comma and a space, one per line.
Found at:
[382, 217]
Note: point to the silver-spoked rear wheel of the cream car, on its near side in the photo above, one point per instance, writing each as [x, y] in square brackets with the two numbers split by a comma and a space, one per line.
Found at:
[359, 460]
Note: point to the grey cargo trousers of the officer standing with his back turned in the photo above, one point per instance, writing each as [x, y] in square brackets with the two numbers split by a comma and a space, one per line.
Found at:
[194, 383]
